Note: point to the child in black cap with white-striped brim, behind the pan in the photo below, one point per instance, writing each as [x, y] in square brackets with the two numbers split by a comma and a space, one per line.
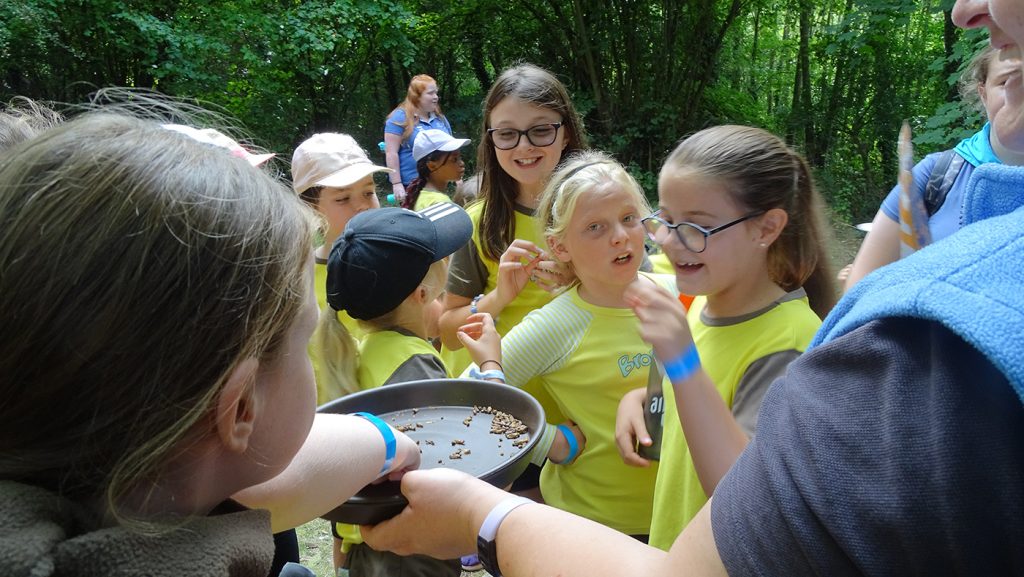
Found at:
[388, 271]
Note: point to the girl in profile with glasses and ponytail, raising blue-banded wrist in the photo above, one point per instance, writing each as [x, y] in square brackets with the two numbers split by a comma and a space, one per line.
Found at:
[740, 221]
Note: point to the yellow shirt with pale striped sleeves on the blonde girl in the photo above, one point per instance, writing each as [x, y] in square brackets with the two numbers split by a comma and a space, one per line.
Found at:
[587, 358]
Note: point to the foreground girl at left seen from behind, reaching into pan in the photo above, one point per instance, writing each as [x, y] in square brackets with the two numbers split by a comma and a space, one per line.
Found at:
[155, 363]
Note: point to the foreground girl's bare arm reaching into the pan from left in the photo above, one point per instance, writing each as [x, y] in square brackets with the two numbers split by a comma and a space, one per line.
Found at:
[343, 456]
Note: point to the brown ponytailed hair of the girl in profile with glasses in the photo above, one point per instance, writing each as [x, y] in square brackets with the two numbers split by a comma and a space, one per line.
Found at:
[762, 173]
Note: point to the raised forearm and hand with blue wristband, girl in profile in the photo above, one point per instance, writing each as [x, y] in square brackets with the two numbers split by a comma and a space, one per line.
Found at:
[714, 437]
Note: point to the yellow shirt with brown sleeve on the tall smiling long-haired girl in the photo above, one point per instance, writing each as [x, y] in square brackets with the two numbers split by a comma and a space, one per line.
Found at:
[472, 273]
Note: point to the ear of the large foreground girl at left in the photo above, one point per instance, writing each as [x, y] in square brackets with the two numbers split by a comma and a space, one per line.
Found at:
[238, 407]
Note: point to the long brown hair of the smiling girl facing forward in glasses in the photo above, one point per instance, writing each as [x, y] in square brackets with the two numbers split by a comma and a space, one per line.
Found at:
[536, 87]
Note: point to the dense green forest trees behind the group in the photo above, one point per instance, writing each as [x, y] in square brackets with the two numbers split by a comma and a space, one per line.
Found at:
[835, 77]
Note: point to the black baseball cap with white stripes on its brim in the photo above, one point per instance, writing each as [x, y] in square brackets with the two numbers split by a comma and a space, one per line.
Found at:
[386, 254]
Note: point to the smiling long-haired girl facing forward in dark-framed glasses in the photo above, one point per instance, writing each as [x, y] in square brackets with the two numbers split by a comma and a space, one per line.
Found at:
[529, 126]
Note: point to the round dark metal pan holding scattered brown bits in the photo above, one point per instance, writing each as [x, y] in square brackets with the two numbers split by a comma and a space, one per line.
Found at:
[452, 423]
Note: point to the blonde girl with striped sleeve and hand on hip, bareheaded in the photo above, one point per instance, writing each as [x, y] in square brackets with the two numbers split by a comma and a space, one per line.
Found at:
[583, 348]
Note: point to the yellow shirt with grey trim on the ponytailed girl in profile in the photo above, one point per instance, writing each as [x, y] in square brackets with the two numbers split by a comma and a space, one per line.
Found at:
[743, 356]
